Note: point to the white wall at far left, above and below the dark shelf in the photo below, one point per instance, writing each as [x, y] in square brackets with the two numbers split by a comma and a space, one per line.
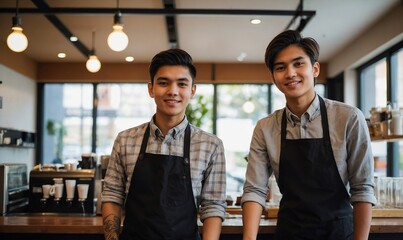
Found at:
[18, 112]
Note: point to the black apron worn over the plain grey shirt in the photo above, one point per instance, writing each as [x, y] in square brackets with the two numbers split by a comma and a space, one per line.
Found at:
[315, 203]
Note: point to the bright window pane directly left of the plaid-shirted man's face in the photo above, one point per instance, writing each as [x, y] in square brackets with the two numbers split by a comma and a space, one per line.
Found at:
[120, 106]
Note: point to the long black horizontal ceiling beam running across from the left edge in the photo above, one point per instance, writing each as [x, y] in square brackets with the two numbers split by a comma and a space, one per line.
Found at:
[164, 11]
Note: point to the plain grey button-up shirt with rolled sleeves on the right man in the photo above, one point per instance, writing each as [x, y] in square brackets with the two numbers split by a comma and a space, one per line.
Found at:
[350, 141]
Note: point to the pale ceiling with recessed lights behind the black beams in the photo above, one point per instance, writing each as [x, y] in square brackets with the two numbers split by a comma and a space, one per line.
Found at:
[208, 38]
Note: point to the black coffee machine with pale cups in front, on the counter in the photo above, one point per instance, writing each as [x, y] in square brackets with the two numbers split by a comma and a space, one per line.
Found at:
[62, 191]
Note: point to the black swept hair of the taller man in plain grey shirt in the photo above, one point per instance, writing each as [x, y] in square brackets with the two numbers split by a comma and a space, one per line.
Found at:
[287, 38]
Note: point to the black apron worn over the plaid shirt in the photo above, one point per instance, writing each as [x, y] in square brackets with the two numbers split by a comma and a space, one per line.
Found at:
[160, 203]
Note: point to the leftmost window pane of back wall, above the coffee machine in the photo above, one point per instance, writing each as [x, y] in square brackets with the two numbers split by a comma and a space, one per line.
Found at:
[67, 121]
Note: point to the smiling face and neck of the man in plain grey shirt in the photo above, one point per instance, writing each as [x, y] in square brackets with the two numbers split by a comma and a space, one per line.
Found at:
[294, 74]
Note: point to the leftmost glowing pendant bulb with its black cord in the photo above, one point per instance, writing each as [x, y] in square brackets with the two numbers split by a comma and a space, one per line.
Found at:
[17, 41]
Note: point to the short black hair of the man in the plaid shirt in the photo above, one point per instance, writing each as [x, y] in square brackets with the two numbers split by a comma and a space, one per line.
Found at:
[172, 57]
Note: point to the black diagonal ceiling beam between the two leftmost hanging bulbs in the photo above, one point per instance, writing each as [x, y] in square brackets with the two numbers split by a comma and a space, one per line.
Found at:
[42, 5]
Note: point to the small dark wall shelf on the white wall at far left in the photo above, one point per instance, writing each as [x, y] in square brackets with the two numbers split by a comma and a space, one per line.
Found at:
[16, 138]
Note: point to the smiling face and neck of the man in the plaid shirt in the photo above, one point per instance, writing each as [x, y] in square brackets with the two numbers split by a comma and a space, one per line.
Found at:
[172, 90]
